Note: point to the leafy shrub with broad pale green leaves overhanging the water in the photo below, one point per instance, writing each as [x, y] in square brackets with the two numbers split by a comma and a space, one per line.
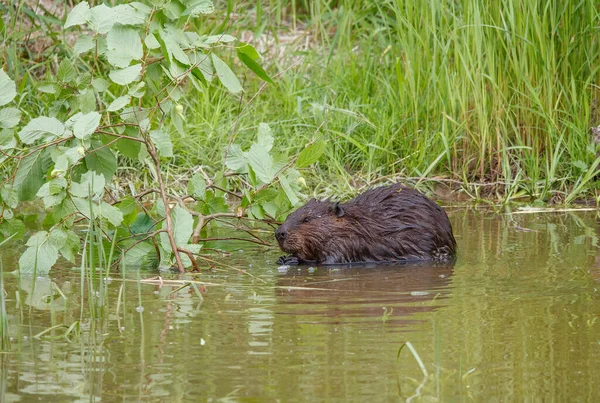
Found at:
[117, 97]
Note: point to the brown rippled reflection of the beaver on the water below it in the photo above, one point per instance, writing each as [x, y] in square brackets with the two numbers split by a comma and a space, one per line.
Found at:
[363, 291]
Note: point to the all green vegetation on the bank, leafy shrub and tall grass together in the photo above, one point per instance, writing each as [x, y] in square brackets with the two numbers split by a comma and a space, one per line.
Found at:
[120, 118]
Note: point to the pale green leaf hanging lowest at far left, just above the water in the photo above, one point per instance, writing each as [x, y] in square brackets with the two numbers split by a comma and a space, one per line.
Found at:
[40, 255]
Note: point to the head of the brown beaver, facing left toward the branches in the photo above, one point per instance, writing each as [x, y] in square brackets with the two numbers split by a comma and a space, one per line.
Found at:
[305, 232]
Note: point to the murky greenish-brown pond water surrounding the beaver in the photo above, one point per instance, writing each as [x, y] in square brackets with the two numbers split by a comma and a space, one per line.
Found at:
[515, 318]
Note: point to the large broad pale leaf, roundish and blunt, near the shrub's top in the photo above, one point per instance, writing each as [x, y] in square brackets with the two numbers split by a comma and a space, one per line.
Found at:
[124, 45]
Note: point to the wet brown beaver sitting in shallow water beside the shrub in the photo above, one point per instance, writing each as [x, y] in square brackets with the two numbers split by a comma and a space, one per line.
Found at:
[389, 223]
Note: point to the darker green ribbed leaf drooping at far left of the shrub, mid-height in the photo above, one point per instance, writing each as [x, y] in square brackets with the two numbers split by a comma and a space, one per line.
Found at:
[31, 174]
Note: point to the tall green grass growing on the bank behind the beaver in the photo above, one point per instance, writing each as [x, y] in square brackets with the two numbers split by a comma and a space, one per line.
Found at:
[500, 92]
